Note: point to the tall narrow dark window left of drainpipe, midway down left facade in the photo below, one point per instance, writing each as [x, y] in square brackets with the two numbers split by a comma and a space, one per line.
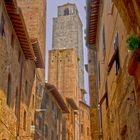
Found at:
[9, 90]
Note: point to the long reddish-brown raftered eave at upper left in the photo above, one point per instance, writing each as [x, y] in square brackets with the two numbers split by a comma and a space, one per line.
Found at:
[19, 26]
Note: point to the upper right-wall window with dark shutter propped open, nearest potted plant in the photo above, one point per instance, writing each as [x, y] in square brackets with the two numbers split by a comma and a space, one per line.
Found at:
[115, 57]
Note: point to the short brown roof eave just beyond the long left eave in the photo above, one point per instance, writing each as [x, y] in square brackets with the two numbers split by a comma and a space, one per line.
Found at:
[39, 60]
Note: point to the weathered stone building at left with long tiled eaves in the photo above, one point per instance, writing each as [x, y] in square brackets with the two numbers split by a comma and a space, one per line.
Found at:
[20, 57]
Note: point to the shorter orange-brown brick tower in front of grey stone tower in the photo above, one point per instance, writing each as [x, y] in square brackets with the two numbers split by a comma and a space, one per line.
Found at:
[63, 72]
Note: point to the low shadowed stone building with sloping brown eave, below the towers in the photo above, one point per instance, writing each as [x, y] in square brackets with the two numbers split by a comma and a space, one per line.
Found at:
[48, 118]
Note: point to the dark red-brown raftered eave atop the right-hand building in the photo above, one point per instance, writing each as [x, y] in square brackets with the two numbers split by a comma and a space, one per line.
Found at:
[92, 20]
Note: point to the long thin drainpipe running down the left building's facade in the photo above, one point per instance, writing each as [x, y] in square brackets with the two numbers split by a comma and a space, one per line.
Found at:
[20, 91]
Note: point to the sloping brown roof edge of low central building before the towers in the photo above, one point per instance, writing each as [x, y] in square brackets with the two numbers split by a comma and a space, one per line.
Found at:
[54, 92]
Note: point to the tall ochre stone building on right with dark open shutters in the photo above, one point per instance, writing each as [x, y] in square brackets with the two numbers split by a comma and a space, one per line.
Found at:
[115, 96]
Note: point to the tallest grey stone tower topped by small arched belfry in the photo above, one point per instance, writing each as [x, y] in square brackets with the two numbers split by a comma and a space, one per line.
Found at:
[67, 33]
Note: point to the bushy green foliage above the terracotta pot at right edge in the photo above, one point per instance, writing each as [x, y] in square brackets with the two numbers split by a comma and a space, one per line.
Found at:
[133, 42]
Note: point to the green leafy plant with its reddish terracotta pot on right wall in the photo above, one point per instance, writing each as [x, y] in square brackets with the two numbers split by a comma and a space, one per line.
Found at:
[133, 47]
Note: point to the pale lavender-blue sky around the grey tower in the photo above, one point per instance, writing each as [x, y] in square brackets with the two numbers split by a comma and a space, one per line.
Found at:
[52, 12]
